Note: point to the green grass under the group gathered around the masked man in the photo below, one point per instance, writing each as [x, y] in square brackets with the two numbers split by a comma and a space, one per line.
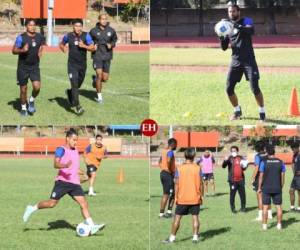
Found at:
[219, 229]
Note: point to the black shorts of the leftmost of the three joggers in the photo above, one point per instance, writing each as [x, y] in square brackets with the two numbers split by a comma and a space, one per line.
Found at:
[24, 73]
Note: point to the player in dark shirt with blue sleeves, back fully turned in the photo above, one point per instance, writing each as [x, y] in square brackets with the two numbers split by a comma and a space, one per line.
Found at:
[271, 181]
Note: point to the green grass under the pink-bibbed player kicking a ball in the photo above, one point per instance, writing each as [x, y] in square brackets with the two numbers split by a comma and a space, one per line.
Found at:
[123, 207]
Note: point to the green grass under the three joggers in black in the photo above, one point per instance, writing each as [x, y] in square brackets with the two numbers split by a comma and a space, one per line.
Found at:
[126, 94]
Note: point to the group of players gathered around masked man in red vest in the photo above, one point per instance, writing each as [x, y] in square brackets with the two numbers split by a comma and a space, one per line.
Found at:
[184, 185]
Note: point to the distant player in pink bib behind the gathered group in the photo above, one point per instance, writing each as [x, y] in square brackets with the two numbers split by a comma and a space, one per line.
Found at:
[206, 162]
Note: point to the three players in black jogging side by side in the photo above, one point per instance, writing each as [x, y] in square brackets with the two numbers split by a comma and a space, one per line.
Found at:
[100, 41]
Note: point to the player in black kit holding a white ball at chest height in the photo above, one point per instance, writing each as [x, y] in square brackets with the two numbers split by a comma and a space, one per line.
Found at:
[243, 61]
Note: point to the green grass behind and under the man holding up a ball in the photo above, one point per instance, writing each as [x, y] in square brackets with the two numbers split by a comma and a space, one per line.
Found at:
[189, 98]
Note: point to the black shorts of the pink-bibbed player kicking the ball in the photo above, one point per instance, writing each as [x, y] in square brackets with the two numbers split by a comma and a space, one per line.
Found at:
[61, 188]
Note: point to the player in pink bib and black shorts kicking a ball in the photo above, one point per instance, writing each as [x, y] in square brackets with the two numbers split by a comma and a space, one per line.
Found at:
[67, 161]
